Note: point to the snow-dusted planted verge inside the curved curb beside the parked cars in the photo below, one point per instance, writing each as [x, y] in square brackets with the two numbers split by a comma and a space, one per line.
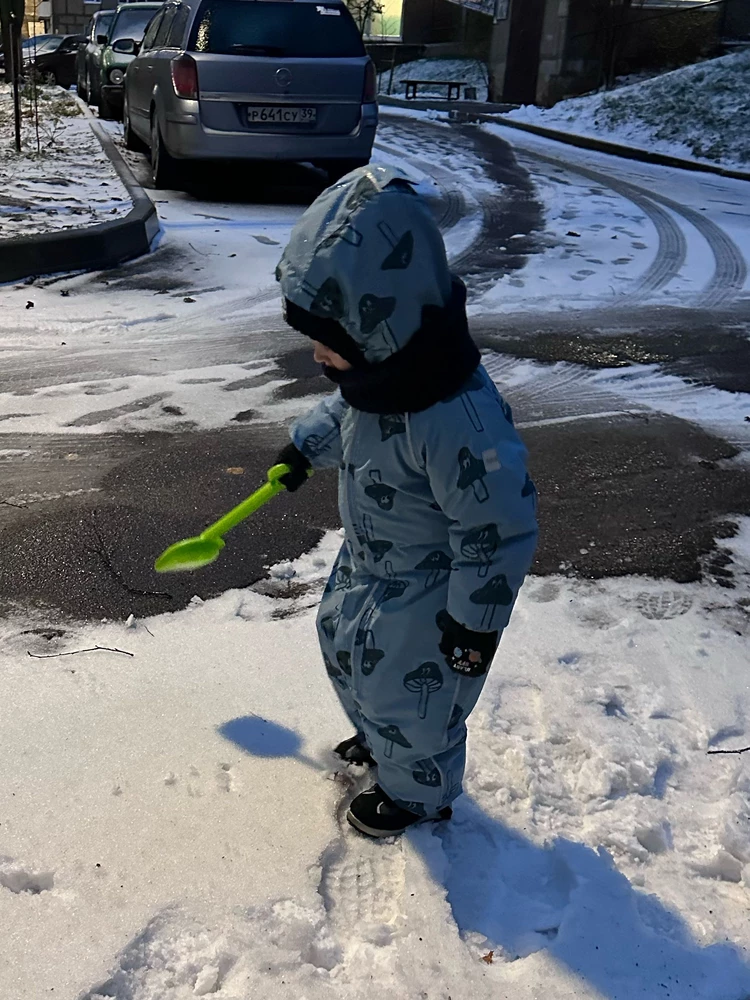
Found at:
[69, 183]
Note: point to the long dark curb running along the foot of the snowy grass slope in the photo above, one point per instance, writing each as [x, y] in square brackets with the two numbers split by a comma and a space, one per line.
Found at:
[580, 141]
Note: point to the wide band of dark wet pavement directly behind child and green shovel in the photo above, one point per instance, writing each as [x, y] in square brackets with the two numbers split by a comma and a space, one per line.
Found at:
[630, 493]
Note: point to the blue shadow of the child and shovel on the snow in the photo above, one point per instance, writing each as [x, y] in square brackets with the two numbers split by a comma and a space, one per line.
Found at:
[515, 898]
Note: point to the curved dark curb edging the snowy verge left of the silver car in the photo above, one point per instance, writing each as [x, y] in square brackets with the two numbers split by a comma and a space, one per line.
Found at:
[91, 248]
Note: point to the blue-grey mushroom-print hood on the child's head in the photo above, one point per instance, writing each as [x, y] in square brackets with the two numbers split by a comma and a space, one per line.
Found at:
[367, 255]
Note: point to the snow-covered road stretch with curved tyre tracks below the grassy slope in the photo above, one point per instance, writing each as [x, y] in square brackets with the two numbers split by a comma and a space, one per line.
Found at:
[644, 233]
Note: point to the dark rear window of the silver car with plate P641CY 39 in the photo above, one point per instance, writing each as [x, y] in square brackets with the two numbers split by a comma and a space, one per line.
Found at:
[266, 28]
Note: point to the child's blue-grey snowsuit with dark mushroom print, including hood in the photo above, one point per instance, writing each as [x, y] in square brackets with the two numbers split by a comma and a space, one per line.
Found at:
[437, 506]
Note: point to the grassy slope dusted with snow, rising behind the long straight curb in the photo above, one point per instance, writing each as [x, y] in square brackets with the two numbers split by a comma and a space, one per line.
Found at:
[699, 112]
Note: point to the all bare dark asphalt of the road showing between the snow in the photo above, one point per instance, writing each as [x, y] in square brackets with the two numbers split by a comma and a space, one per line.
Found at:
[622, 491]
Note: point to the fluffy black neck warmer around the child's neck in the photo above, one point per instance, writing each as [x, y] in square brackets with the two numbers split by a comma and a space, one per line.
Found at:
[434, 365]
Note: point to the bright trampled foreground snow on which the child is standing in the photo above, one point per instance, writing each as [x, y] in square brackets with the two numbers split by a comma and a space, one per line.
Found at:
[173, 826]
